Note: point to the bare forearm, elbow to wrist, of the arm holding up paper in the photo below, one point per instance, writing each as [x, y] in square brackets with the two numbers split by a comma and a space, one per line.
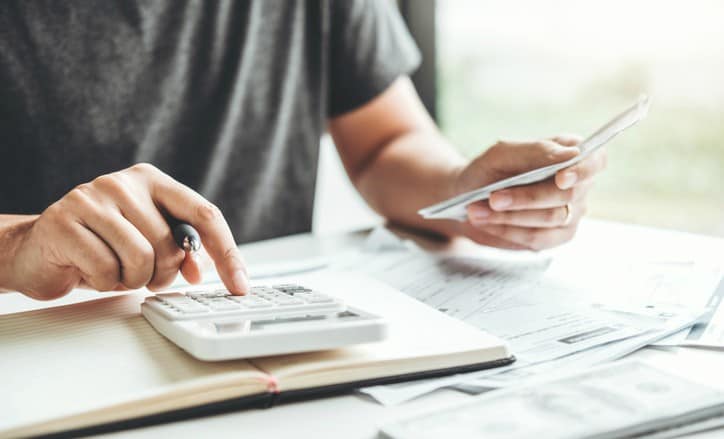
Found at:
[413, 170]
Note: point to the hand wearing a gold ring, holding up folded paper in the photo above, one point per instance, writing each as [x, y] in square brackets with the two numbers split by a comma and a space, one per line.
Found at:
[536, 216]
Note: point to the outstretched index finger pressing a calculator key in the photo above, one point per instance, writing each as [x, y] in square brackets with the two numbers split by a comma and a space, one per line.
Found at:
[185, 204]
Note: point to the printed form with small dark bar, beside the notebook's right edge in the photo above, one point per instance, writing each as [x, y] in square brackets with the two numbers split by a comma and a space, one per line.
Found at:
[540, 319]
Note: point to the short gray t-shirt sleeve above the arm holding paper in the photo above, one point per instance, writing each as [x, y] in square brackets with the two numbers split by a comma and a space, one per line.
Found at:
[370, 48]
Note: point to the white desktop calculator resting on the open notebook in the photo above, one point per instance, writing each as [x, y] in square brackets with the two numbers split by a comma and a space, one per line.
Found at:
[270, 320]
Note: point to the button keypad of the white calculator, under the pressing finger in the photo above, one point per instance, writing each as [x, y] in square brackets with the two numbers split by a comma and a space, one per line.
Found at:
[262, 301]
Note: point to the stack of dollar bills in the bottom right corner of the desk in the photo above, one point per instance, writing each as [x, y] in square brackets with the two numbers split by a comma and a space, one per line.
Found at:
[624, 399]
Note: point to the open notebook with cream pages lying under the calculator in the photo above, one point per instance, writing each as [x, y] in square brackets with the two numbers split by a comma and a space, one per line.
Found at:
[99, 363]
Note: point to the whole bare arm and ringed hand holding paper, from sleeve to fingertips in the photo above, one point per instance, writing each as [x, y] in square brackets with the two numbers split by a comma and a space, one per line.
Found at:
[405, 164]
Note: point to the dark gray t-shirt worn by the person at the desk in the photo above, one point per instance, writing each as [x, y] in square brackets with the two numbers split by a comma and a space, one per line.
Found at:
[228, 97]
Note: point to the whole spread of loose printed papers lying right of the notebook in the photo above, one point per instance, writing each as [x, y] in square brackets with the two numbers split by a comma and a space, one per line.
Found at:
[551, 316]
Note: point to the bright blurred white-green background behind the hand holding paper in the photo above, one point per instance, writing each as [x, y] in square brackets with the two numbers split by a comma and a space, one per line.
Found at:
[531, 69]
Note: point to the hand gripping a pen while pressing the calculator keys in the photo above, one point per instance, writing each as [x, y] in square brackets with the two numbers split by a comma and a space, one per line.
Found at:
[112, 234]
